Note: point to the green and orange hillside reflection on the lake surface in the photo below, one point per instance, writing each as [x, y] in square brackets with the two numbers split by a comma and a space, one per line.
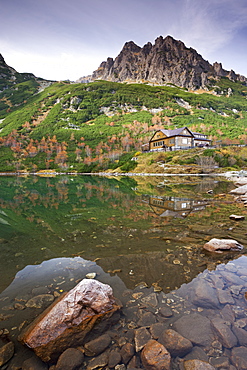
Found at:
[104, 219]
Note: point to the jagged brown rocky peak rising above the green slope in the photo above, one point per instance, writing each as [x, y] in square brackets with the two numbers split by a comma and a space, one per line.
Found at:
[167, 61]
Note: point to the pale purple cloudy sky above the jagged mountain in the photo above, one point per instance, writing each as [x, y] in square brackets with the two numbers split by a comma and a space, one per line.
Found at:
[68, 39]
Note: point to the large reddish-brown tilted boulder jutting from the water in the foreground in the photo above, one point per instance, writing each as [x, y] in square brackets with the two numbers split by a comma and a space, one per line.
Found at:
[67, 322]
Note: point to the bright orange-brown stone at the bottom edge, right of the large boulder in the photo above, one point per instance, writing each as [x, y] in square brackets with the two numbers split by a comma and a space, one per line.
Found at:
[155, 356]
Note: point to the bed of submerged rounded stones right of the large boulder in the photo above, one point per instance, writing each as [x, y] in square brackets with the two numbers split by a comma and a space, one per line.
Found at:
[201, 325]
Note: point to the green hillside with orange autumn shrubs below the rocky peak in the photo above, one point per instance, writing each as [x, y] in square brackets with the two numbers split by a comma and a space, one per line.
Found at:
[101, 125]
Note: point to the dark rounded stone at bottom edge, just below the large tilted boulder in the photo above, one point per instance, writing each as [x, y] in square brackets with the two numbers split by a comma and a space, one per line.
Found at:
[71, 359]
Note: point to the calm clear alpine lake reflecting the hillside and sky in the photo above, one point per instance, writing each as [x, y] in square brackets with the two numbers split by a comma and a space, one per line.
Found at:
[142, 235]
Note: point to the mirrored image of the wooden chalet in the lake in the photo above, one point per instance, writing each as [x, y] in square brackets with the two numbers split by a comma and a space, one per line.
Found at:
[173, 206]
